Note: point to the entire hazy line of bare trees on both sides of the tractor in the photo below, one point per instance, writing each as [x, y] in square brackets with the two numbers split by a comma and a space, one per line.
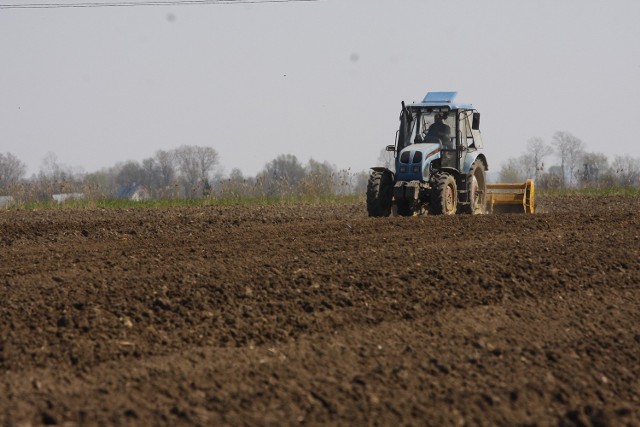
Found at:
[191, 171]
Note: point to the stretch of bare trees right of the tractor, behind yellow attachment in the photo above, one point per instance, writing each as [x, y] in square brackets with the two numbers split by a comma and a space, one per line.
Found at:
[577, 167]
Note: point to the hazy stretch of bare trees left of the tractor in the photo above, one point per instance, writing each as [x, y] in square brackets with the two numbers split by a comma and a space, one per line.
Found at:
[187, 172]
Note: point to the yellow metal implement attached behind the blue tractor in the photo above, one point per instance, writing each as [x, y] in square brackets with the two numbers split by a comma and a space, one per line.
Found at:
[511, 198]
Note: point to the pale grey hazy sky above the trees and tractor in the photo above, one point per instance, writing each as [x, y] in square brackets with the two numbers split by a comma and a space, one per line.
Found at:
[317, 79]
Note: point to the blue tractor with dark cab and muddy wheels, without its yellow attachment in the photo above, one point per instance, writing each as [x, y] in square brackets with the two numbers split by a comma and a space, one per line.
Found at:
[439, 168]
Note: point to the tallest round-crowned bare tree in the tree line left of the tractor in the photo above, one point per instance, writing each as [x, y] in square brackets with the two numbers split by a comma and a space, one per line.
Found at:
[196, 164]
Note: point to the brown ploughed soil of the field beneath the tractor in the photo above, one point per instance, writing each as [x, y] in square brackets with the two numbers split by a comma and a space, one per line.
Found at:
[279, 315]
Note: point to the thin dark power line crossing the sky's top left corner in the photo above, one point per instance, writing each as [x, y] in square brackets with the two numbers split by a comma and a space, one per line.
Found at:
[138, 3]
